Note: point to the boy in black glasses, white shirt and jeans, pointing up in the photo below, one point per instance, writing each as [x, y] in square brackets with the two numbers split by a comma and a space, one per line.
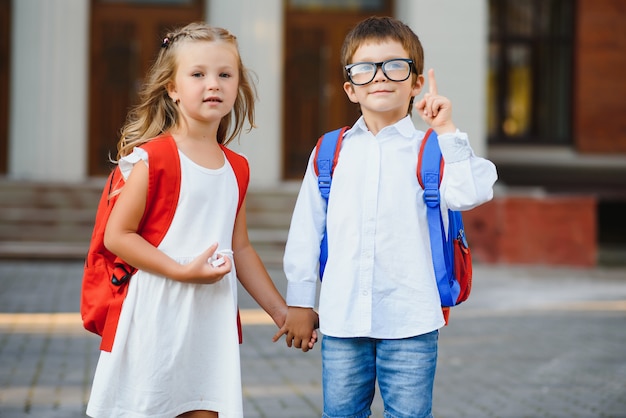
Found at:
[379, 307]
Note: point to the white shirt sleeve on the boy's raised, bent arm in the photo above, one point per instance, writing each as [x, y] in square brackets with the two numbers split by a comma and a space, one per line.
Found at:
[467, 179]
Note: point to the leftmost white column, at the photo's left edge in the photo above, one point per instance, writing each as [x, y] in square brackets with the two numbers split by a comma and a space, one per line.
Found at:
[48, 108]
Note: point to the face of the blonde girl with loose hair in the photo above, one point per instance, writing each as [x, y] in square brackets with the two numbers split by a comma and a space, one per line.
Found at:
[206, 81]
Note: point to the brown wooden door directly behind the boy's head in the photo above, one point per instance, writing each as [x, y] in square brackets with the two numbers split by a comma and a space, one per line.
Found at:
[314, 99]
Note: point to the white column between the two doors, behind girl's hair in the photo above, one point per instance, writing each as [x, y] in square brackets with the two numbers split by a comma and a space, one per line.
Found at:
[258, 27]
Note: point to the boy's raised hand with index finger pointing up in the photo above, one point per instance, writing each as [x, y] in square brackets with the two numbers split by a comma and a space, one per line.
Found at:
[436, 110]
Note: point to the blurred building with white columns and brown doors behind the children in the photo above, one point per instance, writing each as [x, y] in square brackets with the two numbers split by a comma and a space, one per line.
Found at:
[536, 83]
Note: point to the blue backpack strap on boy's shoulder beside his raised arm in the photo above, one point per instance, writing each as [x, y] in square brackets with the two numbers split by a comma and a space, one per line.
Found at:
[430, 171]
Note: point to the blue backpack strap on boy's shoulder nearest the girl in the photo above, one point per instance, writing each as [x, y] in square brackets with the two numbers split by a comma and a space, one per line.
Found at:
[326, 155]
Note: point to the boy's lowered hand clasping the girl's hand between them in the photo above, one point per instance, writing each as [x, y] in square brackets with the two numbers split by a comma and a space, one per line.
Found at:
[299, 328]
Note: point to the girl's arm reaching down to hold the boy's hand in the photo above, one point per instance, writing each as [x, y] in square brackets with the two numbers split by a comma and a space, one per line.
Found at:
[257, 282]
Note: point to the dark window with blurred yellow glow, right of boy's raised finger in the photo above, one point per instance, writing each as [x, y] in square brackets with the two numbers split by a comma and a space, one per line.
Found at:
[530, 71]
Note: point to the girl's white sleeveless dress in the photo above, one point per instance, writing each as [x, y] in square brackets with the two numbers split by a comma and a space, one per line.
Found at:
[176, 348]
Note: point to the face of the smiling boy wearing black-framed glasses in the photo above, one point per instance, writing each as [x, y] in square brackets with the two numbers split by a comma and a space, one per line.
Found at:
[382, 97]
